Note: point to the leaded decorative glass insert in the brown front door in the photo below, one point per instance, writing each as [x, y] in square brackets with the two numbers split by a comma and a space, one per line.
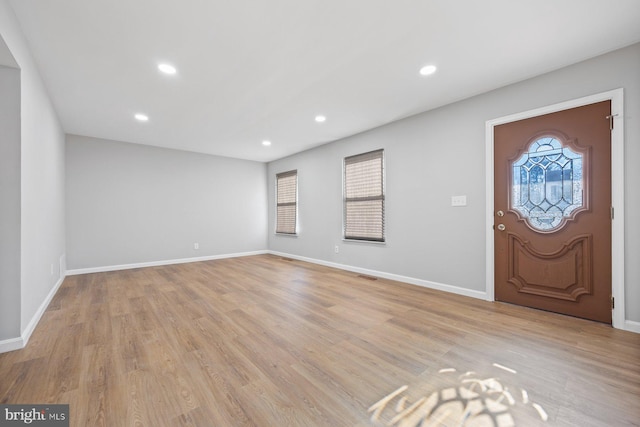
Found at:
[547, 186]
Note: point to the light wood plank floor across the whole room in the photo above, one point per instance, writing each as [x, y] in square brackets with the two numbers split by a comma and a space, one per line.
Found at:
[264, 341]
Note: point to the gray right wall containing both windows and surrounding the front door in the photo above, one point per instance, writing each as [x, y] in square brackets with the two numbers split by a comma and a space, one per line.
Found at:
[435, 155]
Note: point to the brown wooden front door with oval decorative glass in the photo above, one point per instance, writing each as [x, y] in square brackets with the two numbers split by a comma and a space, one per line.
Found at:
[552, 212]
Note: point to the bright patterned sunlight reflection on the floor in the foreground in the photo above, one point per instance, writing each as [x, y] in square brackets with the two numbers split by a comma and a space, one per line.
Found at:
[469, 399]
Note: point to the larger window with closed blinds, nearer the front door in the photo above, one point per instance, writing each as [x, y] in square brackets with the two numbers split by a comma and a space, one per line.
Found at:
[364, 196]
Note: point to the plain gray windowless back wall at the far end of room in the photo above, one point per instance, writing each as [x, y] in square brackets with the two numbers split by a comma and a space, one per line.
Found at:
[129, 204]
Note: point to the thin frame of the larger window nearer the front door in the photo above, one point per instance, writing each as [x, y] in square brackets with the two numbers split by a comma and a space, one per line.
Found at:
[382, 198]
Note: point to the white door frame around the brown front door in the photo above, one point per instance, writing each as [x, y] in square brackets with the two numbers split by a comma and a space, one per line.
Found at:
[616, 97]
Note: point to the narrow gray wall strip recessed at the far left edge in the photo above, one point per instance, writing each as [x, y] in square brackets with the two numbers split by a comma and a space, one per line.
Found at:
[10, 205]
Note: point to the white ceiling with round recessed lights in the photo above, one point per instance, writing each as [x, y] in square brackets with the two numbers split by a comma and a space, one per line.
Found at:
[250, 70]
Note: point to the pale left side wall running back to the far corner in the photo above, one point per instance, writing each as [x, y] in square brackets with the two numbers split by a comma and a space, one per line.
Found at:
[42, 228]
